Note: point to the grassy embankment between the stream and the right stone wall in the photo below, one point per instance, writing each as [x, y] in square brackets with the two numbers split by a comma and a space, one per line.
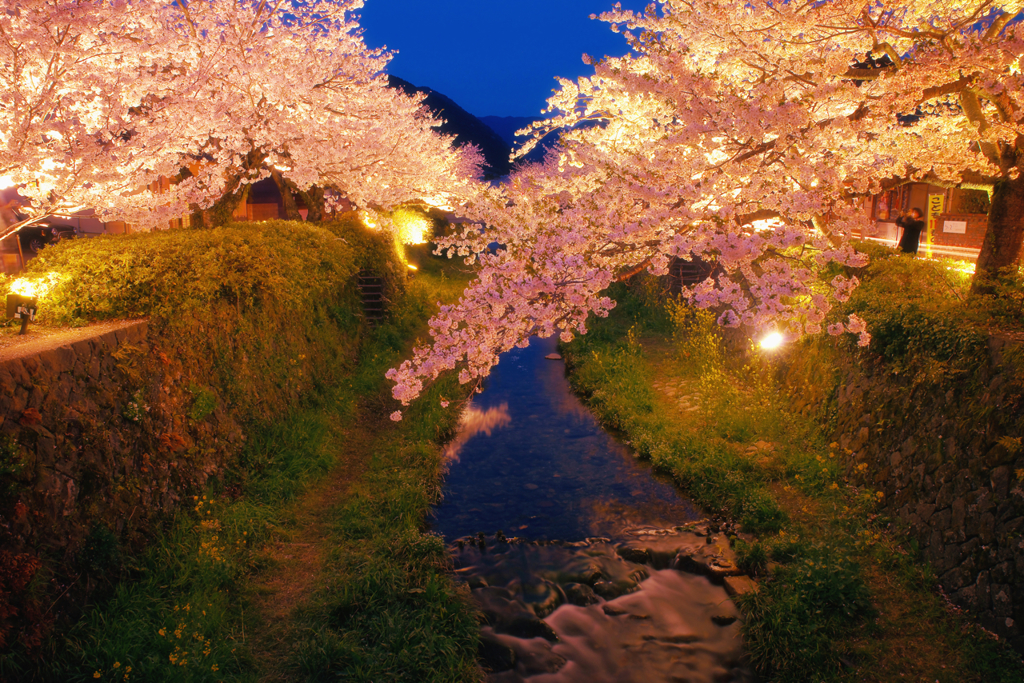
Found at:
[840, 599]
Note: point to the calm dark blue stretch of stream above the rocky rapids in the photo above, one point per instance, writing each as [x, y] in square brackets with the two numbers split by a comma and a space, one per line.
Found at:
[532, 461]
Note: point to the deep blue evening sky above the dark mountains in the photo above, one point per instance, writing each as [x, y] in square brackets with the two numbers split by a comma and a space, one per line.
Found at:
[495, 58]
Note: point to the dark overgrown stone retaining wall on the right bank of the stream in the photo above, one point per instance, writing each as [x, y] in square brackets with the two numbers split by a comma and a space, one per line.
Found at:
[948, 457]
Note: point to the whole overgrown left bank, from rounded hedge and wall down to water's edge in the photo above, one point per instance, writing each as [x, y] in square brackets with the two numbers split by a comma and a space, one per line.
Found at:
[237, 438]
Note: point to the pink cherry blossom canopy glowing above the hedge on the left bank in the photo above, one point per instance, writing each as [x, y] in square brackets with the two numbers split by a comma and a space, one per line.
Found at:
[104, 98]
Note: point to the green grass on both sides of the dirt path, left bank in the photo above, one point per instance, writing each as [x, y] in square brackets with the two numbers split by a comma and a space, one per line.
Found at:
[391, 611]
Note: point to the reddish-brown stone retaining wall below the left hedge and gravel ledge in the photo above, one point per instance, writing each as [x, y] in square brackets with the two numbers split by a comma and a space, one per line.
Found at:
[102, 440]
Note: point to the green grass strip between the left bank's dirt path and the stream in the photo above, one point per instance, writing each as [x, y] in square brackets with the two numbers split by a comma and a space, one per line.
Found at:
[391, 610]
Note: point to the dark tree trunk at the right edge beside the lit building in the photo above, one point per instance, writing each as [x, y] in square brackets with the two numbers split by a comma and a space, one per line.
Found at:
[1004, 234]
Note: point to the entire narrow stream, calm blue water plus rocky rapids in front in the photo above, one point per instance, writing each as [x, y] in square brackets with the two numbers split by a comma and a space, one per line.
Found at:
[574, 549]
